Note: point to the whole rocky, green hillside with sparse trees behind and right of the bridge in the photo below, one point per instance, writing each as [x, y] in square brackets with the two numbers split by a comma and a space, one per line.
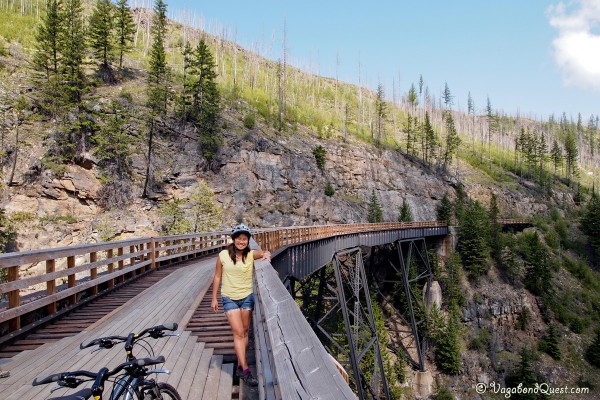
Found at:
[267, 172]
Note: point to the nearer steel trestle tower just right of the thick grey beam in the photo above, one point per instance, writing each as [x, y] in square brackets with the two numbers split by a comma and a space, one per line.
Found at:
[343, 289]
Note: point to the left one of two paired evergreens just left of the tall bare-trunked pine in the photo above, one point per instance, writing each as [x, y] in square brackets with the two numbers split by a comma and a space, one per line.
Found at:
[101, 37]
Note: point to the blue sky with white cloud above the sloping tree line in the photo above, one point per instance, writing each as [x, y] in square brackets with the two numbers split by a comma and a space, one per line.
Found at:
[535, 57]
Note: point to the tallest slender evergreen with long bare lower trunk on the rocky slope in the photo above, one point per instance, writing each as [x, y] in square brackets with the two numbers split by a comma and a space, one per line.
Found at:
[157, 84]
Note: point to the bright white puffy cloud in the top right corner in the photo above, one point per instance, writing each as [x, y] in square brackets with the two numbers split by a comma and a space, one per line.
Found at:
[577, 46]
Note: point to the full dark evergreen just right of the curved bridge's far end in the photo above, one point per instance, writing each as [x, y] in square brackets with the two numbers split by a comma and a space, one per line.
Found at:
[473, 238]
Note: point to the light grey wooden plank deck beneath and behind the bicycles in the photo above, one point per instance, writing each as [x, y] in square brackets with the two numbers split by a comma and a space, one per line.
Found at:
[197, 373]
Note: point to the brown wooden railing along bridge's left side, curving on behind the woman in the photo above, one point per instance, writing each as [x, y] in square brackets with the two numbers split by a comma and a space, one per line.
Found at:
[83, 270]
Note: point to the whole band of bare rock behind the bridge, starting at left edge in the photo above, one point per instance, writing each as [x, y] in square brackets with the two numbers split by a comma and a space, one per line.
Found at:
[265, 179]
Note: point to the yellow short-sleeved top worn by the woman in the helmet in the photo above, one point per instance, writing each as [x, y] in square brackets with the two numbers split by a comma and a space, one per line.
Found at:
[236, 279]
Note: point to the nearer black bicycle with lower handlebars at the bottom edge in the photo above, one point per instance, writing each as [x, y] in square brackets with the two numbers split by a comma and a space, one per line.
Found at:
[146, 389]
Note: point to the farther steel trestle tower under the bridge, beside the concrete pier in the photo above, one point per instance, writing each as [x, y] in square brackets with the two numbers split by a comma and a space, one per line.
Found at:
[411, 274]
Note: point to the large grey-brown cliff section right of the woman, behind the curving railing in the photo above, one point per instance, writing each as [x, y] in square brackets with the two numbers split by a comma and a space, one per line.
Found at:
[276, 182]
